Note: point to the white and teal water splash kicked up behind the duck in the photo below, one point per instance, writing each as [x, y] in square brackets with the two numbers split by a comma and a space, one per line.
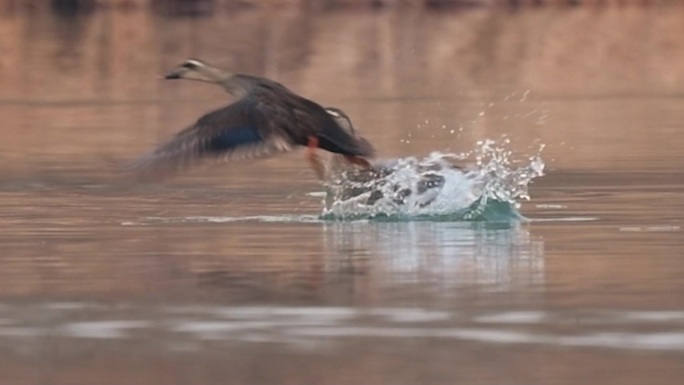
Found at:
[437, 187]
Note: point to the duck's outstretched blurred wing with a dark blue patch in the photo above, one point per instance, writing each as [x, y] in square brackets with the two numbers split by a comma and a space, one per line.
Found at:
[239, 131]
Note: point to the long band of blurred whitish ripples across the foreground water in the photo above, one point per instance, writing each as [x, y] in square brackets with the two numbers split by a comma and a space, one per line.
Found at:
[188, 326]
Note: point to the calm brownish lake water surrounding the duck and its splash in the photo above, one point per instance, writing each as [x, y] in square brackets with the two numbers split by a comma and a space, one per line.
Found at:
[231, 275]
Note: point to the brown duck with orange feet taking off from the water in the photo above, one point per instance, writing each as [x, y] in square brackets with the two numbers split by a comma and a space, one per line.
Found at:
[265, 119]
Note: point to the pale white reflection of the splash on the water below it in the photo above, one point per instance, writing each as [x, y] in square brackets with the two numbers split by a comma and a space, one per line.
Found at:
[443, 256]
